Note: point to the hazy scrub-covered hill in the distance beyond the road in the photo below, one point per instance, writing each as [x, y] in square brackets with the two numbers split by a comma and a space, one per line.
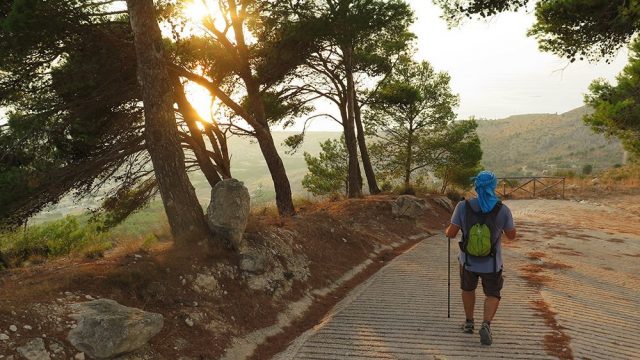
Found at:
[531, 144]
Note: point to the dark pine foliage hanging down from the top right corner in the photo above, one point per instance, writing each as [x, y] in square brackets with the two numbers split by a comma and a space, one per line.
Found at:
[570, 28]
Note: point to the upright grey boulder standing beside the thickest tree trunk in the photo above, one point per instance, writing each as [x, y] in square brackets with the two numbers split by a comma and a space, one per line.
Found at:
[228, 212]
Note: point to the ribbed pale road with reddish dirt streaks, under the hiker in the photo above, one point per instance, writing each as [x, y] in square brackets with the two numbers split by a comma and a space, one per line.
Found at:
[572, 291]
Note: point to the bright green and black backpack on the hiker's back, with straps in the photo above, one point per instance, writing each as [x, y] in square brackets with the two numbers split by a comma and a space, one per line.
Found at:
[476, 237]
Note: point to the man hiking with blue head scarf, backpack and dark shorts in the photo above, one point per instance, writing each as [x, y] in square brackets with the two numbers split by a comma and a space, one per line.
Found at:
[480, 250]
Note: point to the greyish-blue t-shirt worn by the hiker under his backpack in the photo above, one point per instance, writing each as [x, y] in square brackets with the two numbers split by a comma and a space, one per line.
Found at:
[504, 221]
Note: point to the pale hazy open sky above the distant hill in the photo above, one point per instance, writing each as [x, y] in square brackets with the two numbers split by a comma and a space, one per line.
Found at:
[497, 70]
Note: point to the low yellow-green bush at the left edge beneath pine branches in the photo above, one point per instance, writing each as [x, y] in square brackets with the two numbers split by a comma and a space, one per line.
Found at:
[53, 239]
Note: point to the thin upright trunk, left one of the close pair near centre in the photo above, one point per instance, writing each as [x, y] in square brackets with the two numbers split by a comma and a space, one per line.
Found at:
[355, 190]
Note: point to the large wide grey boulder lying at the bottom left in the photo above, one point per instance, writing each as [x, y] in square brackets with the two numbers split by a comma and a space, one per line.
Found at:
[106, 329]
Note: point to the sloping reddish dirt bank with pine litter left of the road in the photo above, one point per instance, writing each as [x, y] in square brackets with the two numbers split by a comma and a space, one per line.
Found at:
[334, 236]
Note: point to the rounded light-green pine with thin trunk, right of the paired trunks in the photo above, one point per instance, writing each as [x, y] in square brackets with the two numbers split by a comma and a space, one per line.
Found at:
[409, 108]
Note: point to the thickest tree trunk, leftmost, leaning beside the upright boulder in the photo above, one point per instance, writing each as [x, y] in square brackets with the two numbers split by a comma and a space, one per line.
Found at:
[186, 218]
